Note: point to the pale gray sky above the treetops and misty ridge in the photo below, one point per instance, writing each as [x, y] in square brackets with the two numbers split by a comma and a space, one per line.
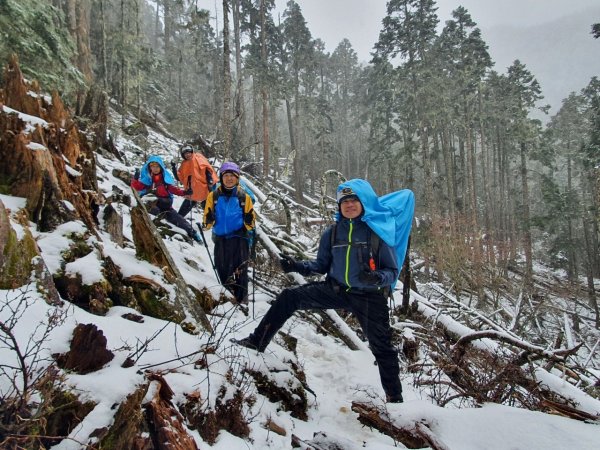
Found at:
[360, 20]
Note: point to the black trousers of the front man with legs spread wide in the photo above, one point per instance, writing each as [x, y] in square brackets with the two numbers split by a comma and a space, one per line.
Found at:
[370, 309]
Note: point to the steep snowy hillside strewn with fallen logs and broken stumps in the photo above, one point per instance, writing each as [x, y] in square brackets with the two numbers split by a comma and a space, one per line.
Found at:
[102, 342]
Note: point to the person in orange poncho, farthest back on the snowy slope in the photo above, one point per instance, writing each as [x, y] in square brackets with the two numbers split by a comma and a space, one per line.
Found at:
[197, 173]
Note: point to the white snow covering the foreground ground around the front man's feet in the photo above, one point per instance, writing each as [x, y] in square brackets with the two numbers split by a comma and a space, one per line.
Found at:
[335, 374]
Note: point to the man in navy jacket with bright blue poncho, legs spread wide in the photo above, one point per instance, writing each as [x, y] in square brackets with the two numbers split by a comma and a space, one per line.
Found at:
[357, 279]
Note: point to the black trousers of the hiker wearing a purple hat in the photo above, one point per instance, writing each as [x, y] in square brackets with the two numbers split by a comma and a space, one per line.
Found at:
[231, 262]
